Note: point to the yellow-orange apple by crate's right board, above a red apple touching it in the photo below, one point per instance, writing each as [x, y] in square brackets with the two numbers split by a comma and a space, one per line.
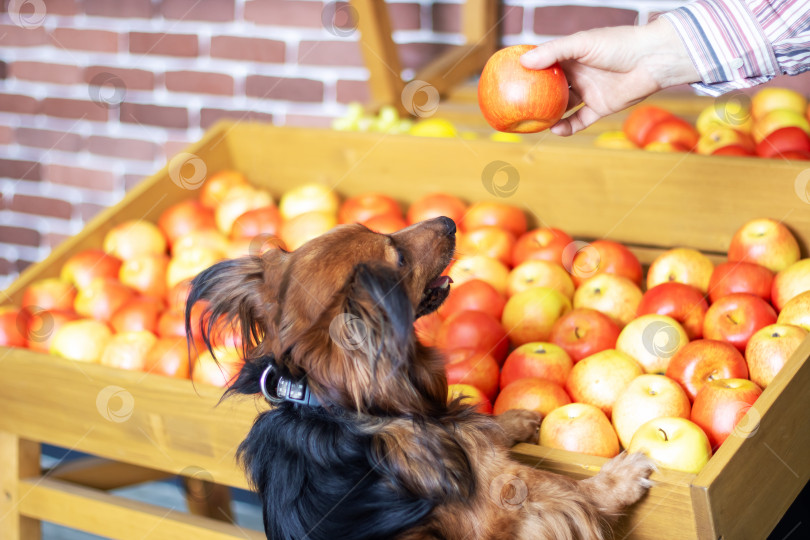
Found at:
[769, 349]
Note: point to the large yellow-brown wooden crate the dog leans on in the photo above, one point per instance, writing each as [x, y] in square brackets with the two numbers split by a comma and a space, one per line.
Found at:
[647, 200]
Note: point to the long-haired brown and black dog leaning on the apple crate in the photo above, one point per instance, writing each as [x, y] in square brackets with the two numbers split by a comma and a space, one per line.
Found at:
[385, 456]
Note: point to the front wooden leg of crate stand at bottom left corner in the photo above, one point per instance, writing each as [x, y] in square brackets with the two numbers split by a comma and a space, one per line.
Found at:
[18, 459]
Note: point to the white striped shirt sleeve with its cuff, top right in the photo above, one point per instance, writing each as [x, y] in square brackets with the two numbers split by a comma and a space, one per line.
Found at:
[741, 43]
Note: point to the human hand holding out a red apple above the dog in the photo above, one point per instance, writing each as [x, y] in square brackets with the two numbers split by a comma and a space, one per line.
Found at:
[610, 69]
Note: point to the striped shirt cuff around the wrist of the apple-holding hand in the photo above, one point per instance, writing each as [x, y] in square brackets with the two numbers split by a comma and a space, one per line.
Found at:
[726, 45]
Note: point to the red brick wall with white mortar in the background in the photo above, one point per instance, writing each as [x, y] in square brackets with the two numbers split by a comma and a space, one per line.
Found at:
[96, 94]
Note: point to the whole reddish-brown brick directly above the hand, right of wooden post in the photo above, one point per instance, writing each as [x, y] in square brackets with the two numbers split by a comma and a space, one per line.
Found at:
[564, 20]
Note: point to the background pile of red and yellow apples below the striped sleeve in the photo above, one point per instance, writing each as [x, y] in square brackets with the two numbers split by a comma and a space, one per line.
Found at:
[775, 123]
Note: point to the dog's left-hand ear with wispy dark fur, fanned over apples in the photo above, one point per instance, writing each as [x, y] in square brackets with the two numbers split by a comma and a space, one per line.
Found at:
[241, 294]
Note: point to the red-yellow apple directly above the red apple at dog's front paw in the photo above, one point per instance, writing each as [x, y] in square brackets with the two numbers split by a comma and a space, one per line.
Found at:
[539, 360]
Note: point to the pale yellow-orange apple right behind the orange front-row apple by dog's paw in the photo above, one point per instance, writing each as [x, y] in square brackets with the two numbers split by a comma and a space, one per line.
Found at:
[601, 378]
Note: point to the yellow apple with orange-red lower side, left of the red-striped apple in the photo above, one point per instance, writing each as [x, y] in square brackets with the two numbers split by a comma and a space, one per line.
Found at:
[529, 315]
